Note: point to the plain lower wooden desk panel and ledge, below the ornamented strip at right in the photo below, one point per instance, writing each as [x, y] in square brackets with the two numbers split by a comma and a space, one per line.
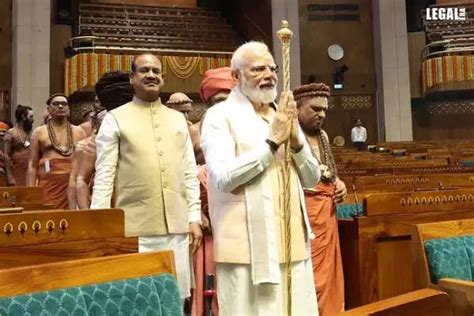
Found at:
[369, 247]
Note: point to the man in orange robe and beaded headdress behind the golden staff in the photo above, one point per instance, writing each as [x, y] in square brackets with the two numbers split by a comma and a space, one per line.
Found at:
[312, 102]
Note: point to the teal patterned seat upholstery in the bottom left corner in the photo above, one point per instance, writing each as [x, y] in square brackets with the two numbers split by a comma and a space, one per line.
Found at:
[152, 295]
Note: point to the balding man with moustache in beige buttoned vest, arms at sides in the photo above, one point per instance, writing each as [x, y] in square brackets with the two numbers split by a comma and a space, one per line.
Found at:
[145, 148]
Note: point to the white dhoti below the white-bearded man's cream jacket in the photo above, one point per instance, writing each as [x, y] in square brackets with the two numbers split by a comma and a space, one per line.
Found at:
[237, 295]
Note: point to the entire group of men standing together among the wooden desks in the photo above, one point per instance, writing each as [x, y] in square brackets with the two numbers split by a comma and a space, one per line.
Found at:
[211, 190]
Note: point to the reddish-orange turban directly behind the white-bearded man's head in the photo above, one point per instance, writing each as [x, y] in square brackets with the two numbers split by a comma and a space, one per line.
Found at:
[215, 81]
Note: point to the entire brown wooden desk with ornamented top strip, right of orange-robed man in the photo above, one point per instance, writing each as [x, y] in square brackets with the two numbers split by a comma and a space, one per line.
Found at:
[376, 249]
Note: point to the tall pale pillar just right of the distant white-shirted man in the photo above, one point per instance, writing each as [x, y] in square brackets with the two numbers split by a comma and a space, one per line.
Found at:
[392, 70]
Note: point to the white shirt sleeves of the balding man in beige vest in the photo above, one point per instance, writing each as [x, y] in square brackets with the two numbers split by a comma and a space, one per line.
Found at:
[108, 140]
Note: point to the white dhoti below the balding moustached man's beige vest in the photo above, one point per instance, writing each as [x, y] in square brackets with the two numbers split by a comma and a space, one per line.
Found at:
[180, 246]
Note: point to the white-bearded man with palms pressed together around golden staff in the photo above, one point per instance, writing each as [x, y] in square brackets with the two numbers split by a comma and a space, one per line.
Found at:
[242, 140]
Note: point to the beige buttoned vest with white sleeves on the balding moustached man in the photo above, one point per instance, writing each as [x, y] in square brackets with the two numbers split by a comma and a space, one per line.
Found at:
[155, 175]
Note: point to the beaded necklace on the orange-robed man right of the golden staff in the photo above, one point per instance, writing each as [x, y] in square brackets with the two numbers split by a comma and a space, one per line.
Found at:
[325, 158]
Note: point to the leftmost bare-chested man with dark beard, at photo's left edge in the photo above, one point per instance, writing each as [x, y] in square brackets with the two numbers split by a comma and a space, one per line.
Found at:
[17, 146]
